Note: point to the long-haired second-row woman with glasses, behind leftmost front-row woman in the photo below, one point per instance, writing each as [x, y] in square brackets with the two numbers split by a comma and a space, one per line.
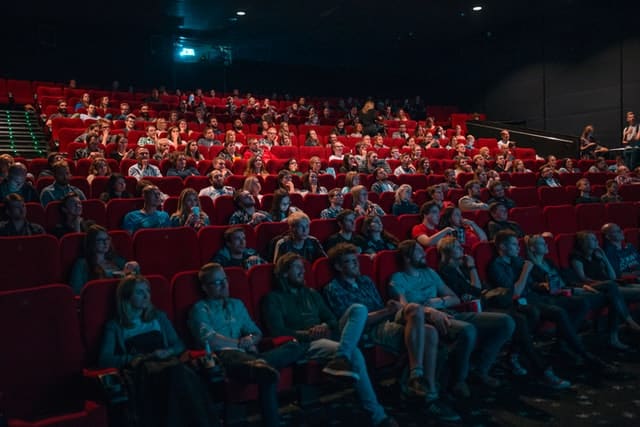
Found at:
[99, 261]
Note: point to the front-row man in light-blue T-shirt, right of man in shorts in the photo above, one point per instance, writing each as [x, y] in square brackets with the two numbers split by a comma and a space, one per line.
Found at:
[419, 284]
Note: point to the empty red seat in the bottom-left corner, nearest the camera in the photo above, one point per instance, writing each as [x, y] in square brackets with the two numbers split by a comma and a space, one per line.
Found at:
[41, 367]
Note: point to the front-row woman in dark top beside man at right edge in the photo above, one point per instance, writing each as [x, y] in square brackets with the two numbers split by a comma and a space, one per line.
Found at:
[595, 275]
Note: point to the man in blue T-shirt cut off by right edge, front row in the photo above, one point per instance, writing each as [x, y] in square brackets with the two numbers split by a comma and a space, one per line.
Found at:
[623, 256]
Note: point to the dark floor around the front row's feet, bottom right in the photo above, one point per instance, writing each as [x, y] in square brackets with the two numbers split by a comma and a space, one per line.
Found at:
[592, 401]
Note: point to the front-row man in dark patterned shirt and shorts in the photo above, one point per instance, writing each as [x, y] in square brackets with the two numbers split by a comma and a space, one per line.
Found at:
[391, 326]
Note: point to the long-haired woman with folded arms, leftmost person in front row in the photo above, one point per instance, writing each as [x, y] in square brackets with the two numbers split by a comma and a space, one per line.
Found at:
[141, 335]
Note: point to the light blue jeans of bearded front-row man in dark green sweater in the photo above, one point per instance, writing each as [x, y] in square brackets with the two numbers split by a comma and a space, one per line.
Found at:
[351, 326]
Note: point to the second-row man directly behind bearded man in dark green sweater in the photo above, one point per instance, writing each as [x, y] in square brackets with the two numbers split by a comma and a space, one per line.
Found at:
[298, 240]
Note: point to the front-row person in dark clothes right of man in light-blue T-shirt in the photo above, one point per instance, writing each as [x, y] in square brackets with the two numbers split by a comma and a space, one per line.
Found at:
[460, 274]
